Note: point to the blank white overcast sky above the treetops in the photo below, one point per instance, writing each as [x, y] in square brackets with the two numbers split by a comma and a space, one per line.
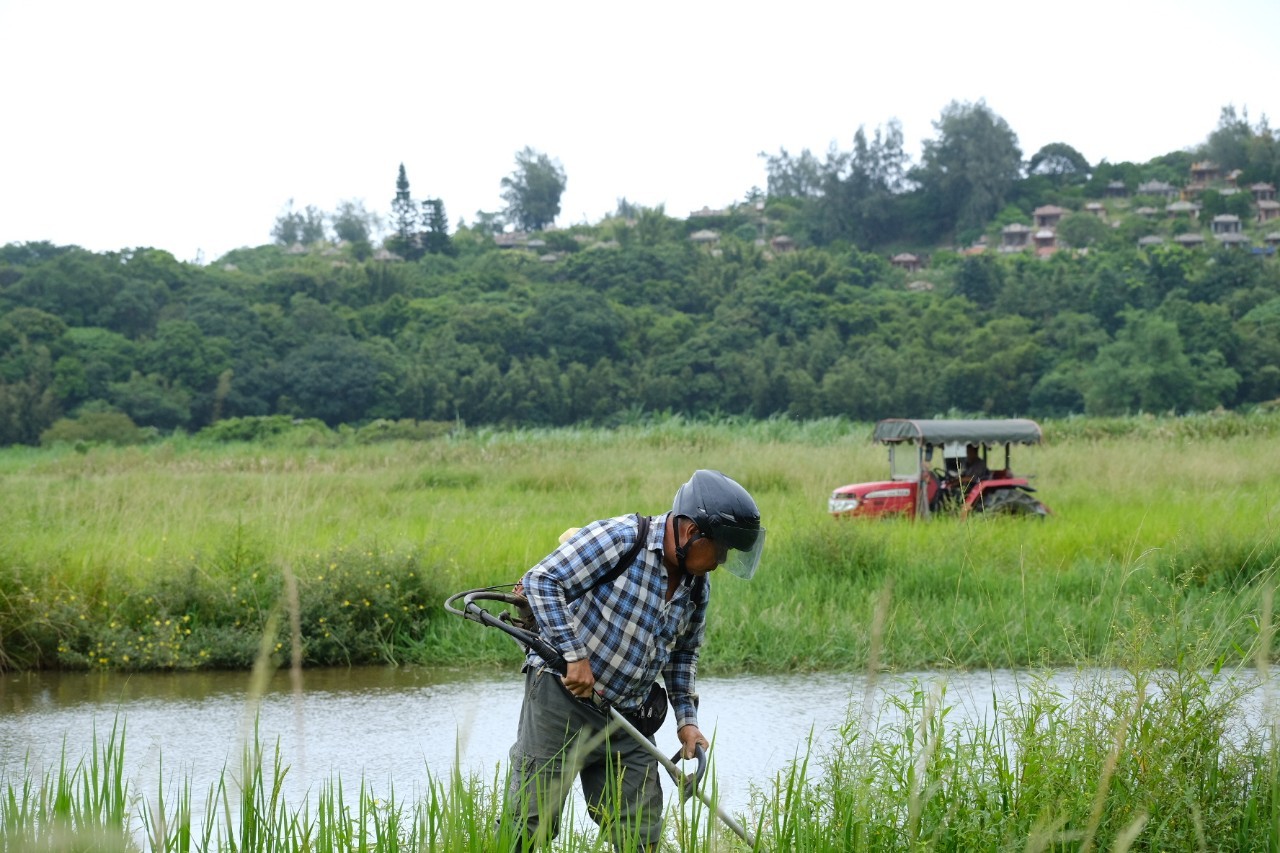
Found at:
[189, 126]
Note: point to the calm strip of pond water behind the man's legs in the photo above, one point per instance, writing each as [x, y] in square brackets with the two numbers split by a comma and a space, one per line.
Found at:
[387, 726]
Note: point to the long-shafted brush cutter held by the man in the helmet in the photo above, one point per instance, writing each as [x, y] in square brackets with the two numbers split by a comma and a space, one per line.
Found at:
[688, 784]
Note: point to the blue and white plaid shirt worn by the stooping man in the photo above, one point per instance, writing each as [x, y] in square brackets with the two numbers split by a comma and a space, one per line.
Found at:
[627, 628]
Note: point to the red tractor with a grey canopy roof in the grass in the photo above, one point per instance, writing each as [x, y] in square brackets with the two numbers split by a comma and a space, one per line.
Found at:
[967, 481]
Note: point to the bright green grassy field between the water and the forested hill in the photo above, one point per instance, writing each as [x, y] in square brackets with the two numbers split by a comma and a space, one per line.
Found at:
[190, 554]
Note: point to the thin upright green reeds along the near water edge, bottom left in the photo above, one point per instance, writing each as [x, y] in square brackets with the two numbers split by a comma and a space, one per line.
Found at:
[89, 808]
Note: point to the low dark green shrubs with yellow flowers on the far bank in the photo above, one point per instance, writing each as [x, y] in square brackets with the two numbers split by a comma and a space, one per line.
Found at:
[220, 610]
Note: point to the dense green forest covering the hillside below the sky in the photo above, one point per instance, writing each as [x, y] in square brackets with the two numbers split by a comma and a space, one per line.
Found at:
[856, 285]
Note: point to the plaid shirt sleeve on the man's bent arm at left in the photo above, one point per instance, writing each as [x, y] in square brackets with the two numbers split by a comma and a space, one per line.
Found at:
[566, 573]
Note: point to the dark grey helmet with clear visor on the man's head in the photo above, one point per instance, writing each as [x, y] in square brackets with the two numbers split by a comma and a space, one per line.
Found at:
[725, 513]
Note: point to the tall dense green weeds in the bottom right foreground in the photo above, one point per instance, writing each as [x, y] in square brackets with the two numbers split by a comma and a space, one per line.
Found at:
[1135, 763]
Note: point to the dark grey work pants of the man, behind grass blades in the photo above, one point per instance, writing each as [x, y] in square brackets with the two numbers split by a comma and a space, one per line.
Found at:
[559, 738]
